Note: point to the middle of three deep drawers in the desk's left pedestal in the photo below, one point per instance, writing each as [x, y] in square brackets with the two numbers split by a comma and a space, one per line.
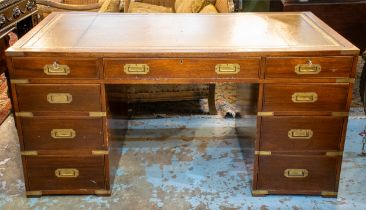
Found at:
[62, 134]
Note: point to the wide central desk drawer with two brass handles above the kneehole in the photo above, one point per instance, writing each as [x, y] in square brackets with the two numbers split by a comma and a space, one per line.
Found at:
[181, 68]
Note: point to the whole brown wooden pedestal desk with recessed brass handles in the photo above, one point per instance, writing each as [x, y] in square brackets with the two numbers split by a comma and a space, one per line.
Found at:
[61, 70]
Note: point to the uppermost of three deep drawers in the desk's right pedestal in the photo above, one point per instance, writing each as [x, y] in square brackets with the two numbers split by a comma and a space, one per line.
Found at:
[307, 97]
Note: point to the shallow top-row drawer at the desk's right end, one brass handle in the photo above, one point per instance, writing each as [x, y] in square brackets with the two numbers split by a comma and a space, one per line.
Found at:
[312, 67]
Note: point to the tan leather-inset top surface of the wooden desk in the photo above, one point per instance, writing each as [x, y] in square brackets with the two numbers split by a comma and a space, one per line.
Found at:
[190, 34]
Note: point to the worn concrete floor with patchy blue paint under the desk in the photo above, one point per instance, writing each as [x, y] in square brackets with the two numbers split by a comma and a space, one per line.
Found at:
[193, 162]
